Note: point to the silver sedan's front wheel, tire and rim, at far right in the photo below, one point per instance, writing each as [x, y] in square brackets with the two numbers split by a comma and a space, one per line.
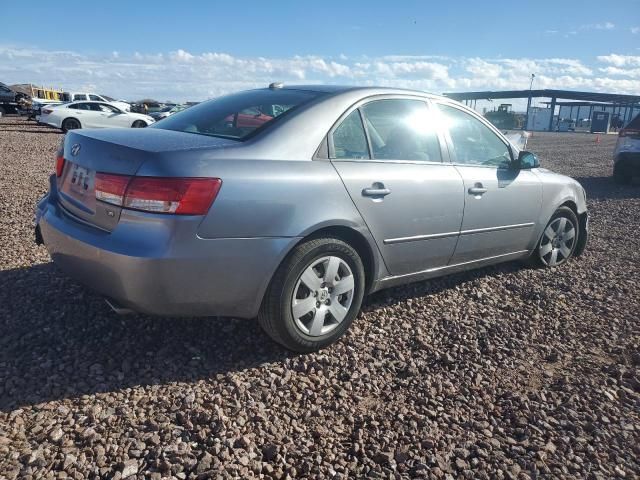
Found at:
[559, 239]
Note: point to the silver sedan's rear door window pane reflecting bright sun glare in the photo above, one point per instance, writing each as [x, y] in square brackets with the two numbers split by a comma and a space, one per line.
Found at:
[401, 130]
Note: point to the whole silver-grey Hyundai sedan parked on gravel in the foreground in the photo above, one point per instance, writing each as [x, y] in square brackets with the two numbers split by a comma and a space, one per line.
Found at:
[290, 204]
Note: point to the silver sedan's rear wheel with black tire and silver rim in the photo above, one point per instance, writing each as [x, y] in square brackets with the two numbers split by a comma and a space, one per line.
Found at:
[314, 296]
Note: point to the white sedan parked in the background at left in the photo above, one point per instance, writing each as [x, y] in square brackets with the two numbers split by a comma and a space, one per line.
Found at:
[70, 116]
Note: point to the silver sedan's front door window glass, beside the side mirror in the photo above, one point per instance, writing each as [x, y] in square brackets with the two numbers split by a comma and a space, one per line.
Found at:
[473, 142]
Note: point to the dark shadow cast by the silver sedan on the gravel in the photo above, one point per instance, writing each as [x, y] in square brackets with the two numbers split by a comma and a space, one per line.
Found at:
[59, 340]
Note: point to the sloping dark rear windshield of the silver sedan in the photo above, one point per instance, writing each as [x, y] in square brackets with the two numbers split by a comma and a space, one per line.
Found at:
[237, 116]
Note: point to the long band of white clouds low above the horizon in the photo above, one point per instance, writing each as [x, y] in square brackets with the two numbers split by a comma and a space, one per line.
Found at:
[181, 75]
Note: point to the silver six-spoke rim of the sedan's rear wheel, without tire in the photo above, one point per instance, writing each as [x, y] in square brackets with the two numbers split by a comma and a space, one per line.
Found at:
[322, 296]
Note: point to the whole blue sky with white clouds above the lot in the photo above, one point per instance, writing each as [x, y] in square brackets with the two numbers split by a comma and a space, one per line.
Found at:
[195, 50]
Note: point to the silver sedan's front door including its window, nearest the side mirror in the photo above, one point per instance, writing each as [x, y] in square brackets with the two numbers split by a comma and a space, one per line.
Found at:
[501, 203]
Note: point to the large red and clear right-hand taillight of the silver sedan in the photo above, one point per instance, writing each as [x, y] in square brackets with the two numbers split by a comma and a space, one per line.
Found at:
[183, 196]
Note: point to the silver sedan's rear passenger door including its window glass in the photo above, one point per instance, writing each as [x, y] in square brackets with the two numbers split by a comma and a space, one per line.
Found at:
[389, 155]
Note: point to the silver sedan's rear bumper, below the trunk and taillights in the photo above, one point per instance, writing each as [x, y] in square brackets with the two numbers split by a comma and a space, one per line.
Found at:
[159, 270]
